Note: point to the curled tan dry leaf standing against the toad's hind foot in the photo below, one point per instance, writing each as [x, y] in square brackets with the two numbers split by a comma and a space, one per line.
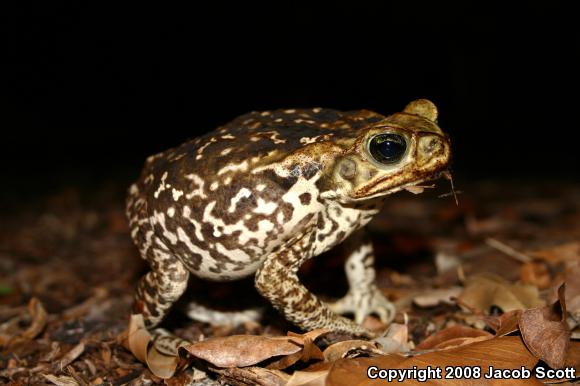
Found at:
[140, 342]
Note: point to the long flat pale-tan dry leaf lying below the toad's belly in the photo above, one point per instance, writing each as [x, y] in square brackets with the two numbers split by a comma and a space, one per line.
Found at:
[242, 350]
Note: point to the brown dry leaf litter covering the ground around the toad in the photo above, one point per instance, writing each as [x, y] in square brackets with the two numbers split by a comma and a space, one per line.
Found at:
[467, 298]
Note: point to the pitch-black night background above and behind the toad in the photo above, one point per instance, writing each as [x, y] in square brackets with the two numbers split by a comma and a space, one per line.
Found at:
[90, 90]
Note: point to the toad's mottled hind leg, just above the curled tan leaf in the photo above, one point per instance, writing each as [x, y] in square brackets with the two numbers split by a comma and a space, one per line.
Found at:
[161, 287]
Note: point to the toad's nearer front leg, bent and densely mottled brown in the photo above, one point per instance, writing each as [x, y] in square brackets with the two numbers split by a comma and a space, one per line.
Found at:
[277, 281]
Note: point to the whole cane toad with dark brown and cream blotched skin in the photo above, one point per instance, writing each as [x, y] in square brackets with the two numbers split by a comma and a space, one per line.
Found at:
[268, 191]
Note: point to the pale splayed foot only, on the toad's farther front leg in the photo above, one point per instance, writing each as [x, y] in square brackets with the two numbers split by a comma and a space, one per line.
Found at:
[363, 303]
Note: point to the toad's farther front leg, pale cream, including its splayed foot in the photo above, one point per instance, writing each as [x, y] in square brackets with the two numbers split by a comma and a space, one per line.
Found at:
[363, 297]
